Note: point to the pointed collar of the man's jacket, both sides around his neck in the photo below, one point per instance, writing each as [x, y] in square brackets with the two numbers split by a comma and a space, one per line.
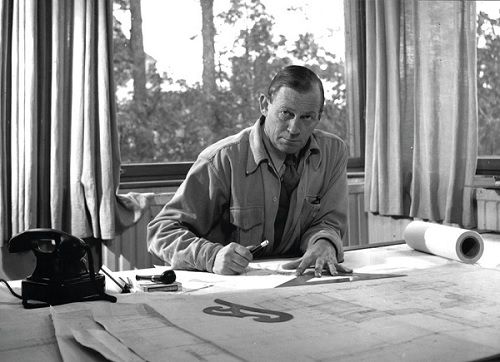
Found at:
[258, 153]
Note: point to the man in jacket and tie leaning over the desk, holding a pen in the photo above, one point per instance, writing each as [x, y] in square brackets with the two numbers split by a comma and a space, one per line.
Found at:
[279, 180]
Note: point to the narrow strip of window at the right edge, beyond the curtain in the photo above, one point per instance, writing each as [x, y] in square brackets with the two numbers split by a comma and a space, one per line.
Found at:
[488, 85]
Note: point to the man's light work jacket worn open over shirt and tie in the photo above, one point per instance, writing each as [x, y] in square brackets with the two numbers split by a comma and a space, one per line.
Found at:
[231, 194]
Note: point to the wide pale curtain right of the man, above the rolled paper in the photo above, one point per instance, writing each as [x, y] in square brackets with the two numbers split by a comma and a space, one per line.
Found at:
[421, 111]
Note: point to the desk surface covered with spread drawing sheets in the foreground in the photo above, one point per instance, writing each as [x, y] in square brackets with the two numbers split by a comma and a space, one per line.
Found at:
[437, 310]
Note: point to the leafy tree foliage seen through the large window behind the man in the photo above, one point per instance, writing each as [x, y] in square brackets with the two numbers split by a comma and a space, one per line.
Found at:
[178, 124]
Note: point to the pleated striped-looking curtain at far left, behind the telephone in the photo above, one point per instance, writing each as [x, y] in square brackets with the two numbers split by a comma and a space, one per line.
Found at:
[60, 159]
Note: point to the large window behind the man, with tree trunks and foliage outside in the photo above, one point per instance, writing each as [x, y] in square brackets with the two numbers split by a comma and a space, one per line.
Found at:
[189, 73]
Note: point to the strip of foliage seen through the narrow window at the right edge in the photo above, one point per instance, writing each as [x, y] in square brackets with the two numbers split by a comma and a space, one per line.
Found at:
[488, 84]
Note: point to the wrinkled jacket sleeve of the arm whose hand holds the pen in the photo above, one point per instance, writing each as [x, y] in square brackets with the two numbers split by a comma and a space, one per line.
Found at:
[174, 235]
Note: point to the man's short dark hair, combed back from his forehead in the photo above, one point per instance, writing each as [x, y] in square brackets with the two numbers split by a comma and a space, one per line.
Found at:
[298, 78]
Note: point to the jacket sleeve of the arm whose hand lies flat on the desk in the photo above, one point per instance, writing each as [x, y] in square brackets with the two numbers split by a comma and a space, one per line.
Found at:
[331, 221]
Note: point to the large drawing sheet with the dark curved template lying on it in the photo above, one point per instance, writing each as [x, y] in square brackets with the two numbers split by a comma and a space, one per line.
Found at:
[447, 313]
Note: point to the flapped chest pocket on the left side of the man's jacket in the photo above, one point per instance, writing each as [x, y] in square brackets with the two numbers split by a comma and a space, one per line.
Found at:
[249, 223]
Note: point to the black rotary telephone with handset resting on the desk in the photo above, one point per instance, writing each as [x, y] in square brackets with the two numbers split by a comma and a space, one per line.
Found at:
[61, 275]
